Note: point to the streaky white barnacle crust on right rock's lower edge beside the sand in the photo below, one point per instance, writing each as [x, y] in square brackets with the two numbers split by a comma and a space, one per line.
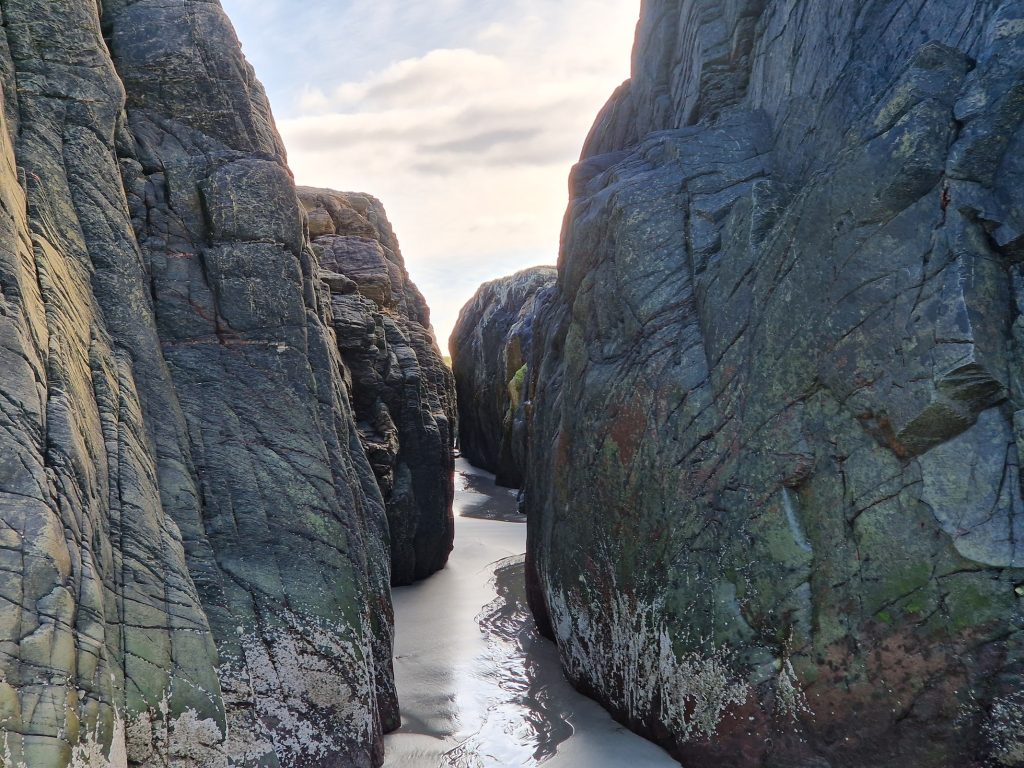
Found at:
[628, 655]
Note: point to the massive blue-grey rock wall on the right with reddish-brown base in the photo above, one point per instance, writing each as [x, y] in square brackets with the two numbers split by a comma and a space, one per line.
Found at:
[775, 485]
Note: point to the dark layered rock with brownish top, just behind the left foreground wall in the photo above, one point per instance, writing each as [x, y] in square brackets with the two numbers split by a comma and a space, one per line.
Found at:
[403, 393]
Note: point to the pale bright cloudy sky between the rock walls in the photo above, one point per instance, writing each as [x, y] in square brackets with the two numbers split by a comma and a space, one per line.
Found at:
[464, 117]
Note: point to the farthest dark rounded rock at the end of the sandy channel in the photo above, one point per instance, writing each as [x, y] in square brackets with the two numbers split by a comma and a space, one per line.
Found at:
[491, 347]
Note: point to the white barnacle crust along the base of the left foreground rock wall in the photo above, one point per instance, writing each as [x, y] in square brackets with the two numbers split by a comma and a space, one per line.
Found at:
[313, 687]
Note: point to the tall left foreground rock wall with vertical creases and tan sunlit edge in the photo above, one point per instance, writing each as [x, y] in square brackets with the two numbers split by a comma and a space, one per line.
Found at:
[194, 545]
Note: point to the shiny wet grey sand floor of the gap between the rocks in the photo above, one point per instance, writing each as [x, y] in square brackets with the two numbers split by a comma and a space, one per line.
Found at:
[480, 689]
